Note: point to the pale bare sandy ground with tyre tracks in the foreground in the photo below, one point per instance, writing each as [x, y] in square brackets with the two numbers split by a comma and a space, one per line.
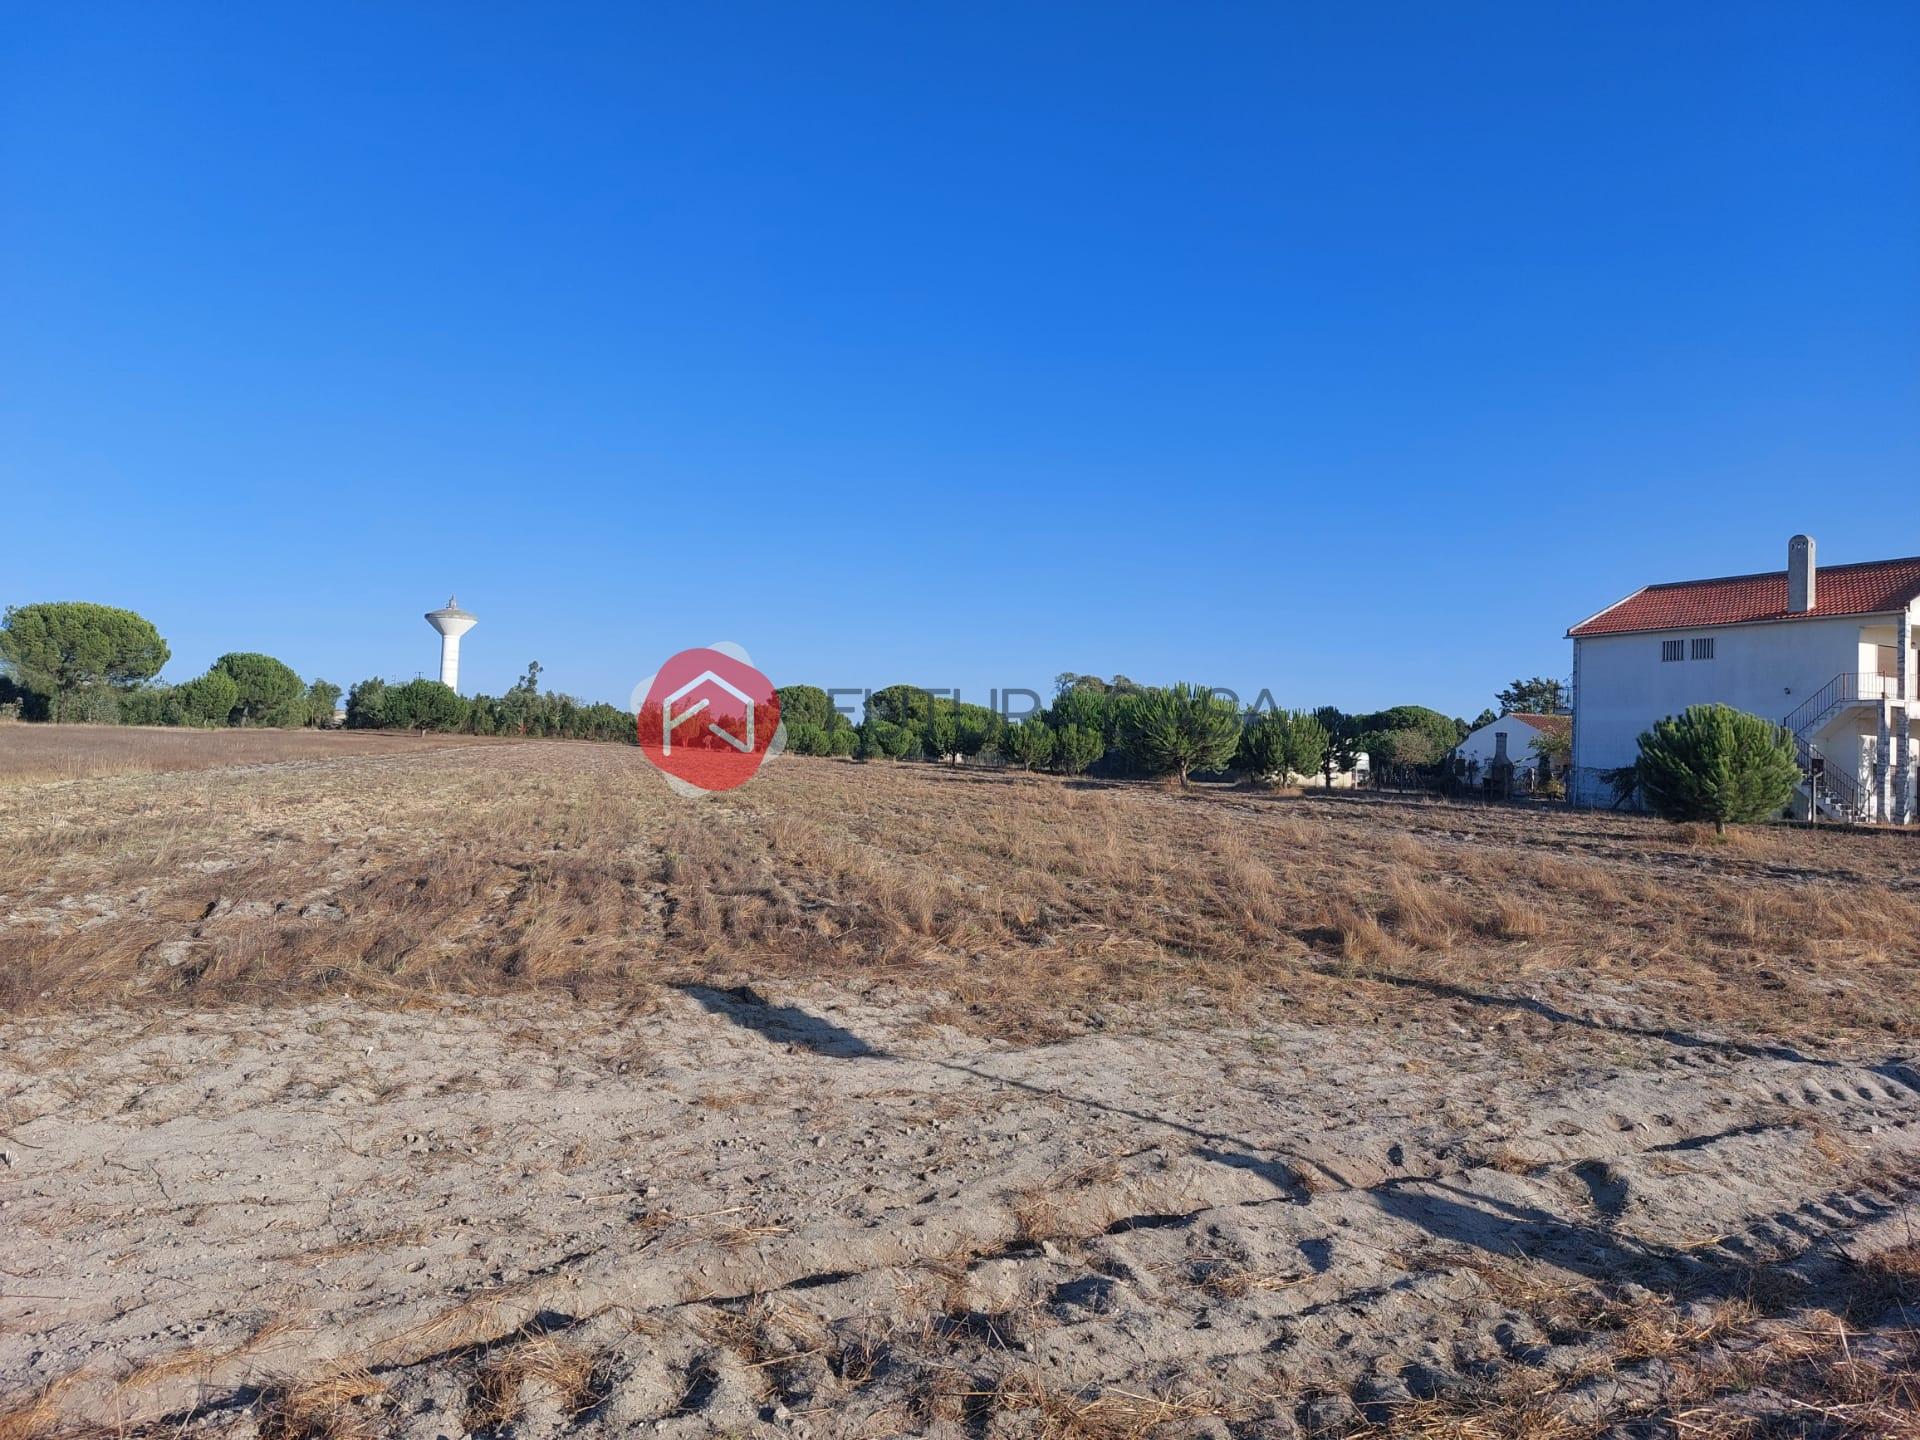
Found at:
[809, 1212]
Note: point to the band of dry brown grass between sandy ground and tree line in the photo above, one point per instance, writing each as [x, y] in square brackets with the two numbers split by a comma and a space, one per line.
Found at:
[1030, 905]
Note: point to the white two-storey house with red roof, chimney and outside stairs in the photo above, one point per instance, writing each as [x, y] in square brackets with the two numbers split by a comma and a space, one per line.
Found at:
[1827, 652]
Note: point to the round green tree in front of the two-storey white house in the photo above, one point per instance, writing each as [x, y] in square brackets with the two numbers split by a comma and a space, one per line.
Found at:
[1717, 763]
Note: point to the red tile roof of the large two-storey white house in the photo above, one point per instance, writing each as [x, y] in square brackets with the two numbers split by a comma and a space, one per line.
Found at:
[1871, 588]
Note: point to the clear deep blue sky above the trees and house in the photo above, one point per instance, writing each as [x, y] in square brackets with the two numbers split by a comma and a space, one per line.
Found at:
[1345, 350]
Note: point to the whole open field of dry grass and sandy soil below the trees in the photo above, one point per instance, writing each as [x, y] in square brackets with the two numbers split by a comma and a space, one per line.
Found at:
[489, 1090]
